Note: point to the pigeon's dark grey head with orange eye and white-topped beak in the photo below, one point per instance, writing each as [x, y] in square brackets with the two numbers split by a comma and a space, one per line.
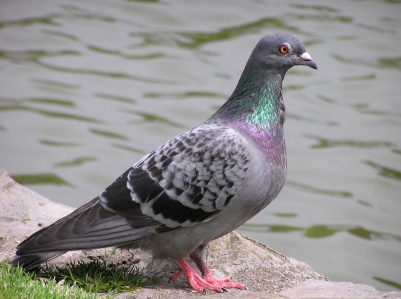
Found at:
[281, 51]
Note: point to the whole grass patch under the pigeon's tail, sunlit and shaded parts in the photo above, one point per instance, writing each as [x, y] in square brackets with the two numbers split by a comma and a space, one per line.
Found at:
[77, 280]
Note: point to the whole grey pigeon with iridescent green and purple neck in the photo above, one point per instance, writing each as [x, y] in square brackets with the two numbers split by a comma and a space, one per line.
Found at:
[196, 187]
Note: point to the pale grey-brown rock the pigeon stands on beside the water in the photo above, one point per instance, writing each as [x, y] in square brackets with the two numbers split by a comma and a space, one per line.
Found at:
[267, 273]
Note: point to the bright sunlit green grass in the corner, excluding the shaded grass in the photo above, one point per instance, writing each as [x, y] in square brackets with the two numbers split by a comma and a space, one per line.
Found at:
[16, 283]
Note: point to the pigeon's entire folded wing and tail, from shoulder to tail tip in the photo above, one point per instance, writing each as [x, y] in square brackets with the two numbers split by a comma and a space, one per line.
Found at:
[188, 180]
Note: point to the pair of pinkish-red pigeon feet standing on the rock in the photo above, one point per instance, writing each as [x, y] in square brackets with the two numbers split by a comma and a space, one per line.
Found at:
[207, 281]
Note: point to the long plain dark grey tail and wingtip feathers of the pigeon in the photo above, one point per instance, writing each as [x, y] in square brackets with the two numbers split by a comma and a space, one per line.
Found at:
[90, 226]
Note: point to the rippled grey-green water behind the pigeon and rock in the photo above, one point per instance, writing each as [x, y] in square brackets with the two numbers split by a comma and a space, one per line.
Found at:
[88, 87]
